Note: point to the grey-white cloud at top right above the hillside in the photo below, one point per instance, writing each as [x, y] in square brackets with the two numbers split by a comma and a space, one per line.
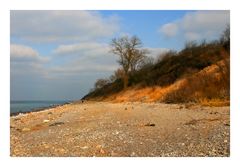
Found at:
[198, 25]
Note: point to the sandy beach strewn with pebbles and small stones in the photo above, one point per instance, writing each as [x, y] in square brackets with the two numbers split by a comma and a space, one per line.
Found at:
[130, 129]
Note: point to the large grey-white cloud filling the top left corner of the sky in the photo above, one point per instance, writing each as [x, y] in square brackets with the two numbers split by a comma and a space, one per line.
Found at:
[57, 26]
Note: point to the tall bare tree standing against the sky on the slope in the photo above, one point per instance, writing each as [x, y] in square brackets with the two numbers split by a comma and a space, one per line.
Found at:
[129, 52]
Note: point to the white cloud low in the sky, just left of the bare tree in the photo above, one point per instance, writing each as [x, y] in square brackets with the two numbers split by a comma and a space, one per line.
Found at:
[86, 57]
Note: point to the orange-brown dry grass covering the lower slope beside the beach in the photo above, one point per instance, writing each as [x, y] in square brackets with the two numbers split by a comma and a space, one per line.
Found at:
[209, 87]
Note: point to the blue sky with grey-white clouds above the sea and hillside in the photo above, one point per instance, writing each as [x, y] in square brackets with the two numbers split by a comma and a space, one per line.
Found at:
[58, 55]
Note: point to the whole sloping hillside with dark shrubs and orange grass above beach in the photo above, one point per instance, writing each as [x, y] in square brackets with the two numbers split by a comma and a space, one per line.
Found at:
[198, 73]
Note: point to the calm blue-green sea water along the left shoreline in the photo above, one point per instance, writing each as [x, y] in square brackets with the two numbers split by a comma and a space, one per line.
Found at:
[25, 106]
